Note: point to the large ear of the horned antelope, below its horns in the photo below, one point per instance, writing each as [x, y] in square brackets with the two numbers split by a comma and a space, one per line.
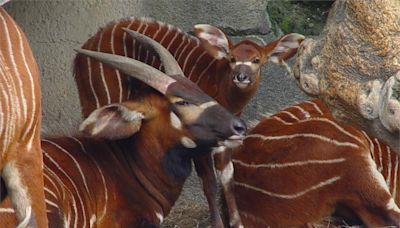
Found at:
[115, 121]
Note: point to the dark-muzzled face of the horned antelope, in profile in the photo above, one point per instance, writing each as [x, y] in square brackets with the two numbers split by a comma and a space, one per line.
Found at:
[207, 121]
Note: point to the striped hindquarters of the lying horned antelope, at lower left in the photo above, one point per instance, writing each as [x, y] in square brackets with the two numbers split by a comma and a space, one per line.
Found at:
[75, 187]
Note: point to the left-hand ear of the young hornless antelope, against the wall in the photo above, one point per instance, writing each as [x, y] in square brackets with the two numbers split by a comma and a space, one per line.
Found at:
[213, 40]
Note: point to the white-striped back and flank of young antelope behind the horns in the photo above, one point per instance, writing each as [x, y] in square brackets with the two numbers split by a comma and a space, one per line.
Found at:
[100, 85]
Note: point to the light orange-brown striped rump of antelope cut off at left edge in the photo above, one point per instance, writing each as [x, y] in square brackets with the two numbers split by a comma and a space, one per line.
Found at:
[19, 86]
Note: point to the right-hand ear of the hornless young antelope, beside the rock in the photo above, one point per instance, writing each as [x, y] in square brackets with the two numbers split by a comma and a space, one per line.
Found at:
[283, 48]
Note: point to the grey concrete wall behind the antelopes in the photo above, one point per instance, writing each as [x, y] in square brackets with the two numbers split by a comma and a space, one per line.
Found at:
[54, 28]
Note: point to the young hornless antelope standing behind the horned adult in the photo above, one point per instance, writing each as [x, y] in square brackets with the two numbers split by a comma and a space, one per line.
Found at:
[228, 73]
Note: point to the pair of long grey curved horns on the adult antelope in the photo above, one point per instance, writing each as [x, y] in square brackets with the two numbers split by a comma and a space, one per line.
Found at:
[139, 70]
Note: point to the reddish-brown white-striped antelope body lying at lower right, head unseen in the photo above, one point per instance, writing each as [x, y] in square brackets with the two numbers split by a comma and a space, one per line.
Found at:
[297, 166]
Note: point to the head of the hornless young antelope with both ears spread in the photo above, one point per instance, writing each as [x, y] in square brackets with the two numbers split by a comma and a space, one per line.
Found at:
[246, 57]
